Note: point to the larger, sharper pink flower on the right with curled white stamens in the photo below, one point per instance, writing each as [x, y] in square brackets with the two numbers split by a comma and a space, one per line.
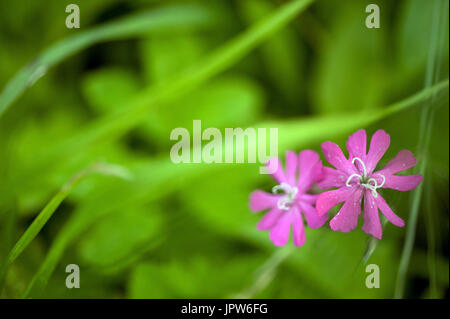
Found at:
[356, 180]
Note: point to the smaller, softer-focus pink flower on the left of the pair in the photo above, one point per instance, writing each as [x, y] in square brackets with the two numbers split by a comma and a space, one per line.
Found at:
[290, 198]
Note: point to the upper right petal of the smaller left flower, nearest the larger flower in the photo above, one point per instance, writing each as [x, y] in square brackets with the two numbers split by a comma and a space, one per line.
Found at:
[310, 169]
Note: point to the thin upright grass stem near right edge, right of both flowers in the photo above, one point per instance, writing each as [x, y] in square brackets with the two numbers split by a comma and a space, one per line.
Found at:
[432, 74]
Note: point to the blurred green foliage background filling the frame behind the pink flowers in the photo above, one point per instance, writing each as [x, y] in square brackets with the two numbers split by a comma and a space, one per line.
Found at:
[185, 231]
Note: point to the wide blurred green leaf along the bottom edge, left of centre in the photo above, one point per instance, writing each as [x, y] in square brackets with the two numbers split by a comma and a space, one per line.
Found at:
[199, 277]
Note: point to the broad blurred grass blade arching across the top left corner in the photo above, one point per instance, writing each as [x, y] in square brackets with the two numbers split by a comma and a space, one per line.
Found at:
[171, 17]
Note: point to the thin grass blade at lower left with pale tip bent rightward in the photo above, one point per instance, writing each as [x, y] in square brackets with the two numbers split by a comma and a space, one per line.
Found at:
[47, 212]
